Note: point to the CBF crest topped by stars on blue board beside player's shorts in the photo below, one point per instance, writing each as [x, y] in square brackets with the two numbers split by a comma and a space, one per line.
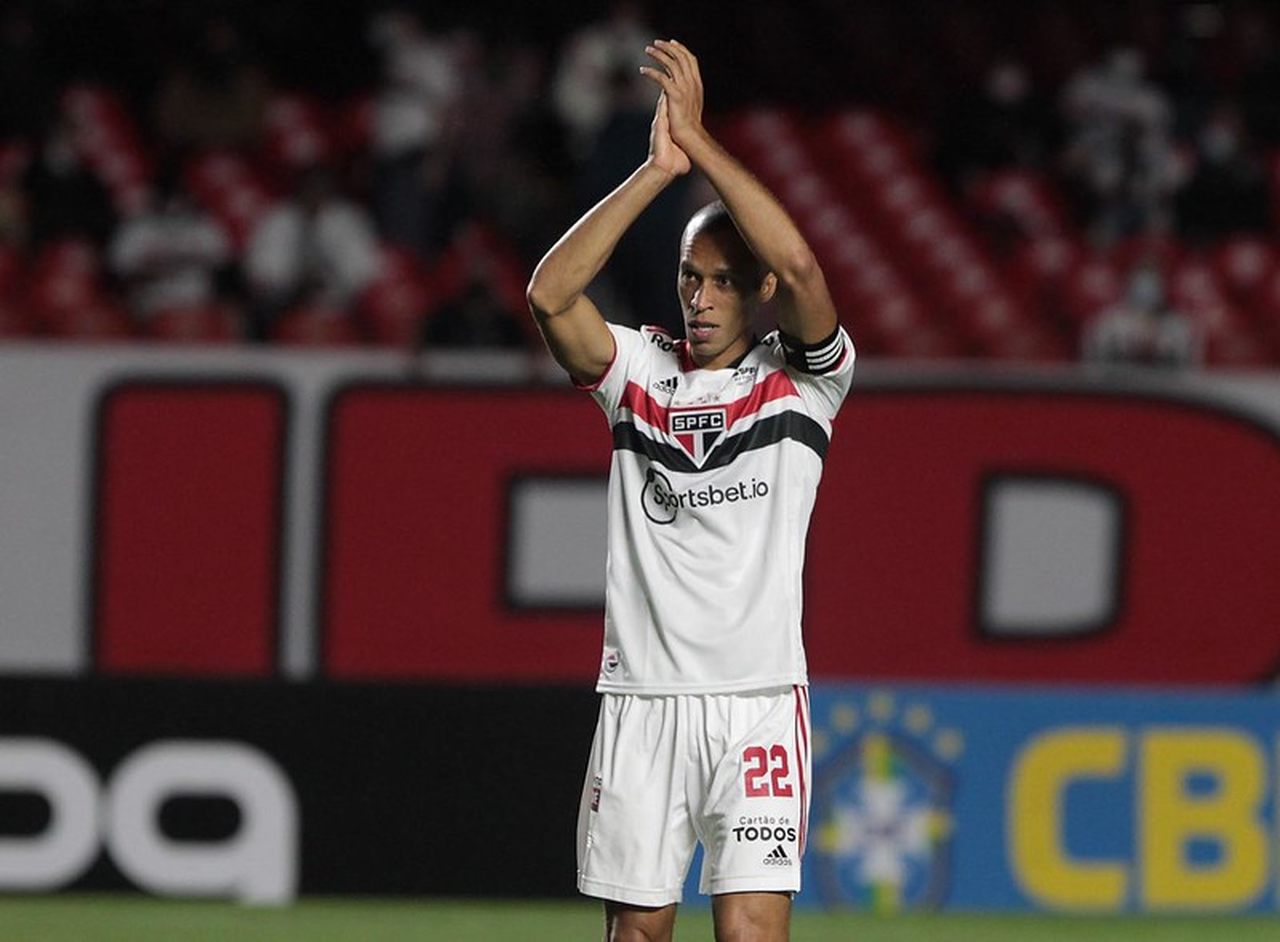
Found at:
[883, 822]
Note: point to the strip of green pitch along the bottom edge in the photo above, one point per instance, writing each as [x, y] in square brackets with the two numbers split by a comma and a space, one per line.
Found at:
[135, 920]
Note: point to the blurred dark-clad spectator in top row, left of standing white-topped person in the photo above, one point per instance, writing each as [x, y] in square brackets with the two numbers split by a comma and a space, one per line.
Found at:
[213, 95]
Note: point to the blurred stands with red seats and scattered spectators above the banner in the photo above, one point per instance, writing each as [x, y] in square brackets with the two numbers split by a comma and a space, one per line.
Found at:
[1022, 181]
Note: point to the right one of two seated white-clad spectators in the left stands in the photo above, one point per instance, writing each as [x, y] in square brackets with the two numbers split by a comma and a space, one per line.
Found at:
[317, 249]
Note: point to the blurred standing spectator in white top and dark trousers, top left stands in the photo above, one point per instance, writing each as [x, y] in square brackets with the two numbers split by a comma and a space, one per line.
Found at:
[414, 127]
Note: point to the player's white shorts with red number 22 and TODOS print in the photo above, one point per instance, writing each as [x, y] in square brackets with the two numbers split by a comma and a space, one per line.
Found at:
[728, 770]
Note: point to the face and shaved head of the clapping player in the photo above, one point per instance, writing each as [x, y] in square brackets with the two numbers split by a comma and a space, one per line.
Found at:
[720, 292]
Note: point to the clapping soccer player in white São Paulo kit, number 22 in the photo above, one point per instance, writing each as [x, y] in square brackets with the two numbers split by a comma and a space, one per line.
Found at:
[719, 442]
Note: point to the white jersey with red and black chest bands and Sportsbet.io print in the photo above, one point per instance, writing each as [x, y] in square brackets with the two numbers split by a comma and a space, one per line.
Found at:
[711, 488]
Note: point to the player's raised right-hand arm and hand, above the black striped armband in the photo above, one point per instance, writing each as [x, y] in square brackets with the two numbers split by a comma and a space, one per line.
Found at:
[806, 310]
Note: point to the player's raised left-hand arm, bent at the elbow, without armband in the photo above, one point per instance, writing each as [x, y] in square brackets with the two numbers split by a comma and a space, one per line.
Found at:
[572, 326]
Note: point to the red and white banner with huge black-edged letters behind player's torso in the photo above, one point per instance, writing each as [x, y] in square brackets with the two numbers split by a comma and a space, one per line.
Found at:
[308, 515]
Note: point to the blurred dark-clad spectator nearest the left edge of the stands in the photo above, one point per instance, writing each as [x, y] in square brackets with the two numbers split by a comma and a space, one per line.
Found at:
[65, 199]
